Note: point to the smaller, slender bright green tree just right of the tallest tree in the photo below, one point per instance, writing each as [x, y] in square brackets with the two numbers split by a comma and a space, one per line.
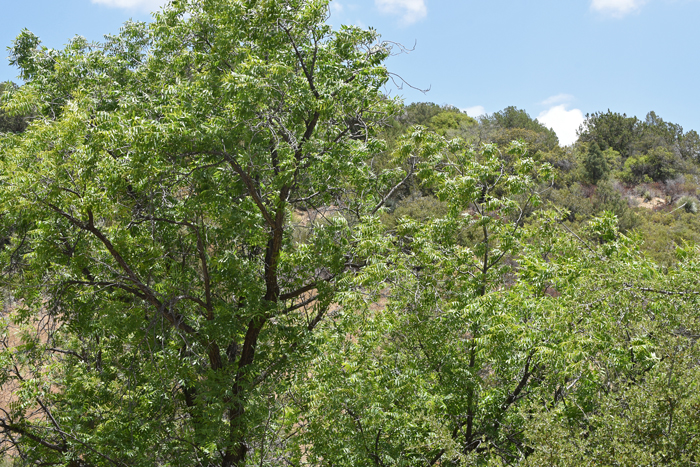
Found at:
[435, 376]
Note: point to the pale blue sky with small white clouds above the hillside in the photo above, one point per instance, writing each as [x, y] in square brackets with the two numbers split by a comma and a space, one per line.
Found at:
[557, 59]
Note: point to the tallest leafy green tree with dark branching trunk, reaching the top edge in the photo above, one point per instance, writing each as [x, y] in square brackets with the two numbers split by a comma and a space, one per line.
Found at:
[149, 214]
